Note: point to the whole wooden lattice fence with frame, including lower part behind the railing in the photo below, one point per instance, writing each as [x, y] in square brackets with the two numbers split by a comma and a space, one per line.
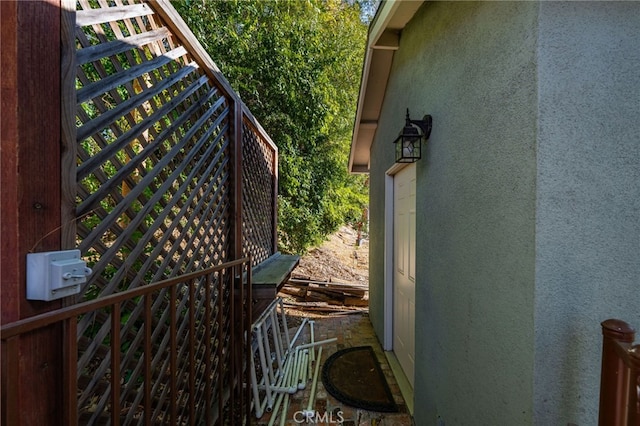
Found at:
[169, 174]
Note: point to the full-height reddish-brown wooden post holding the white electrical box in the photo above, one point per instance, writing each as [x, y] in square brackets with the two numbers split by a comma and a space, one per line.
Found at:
[30, 185]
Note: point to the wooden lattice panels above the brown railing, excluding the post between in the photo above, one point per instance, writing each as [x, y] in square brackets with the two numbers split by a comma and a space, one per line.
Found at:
[156, 167]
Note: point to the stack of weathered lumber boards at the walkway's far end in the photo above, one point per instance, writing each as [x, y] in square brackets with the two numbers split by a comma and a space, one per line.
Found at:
[316, 295]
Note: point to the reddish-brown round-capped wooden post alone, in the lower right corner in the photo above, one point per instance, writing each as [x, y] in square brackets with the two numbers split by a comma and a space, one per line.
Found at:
[614, 381]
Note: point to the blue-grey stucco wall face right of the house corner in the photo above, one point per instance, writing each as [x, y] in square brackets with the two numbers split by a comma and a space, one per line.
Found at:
[588, 215]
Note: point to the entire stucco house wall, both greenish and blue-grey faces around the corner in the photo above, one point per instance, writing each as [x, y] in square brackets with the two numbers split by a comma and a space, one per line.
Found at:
[529, 203]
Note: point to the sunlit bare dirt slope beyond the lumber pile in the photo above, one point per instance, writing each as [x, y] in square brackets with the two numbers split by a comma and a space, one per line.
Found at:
[339, 258]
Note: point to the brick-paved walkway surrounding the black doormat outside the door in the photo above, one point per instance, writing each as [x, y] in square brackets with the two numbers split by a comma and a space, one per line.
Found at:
[351, 331]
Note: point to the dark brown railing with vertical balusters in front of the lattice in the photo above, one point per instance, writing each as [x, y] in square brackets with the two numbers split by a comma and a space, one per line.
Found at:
[189, 370]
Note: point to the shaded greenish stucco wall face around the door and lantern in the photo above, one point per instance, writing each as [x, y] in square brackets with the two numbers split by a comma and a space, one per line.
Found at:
[472, 67]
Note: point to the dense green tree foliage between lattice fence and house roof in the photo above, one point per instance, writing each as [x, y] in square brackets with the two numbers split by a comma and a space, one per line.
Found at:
[297, 66]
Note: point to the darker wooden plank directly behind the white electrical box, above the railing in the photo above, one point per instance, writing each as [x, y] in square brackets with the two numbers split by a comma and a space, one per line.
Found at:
[39, 139]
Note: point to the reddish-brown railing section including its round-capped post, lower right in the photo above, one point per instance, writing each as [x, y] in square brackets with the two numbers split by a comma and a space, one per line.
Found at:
[620, 376]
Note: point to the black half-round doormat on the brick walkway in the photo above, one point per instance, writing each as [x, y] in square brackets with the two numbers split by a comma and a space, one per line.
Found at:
[354, 376]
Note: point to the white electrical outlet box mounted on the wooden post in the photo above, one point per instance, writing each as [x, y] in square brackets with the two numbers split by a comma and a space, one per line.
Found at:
[55, 274]
